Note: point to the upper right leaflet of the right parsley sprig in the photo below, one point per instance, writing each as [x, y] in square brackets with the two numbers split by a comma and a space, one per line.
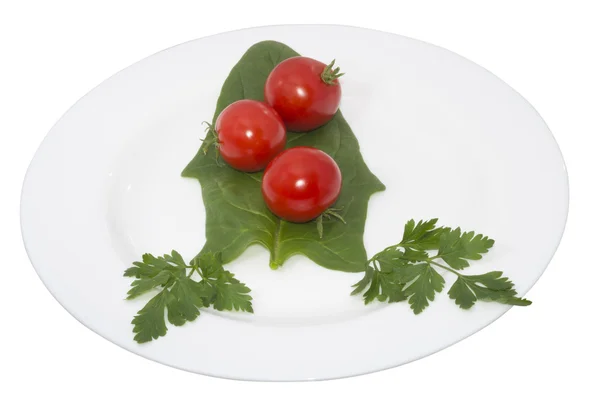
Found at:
[456, 248]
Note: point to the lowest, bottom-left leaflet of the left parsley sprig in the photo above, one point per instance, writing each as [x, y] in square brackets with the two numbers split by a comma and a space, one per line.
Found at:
[149, 323]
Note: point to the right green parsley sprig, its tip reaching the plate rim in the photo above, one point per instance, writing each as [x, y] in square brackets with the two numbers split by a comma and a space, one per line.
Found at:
[407, 271]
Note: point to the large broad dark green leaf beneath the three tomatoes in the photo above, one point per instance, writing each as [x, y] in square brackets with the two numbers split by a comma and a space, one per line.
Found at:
[236, 215]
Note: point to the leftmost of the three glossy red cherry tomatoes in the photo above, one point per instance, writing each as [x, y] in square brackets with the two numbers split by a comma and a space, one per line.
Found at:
[250, 134]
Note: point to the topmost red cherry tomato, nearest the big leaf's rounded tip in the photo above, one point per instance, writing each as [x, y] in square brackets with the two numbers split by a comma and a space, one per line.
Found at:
[303, 100]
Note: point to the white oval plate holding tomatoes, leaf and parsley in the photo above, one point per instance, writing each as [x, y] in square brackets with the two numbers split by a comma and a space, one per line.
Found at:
[448, 138]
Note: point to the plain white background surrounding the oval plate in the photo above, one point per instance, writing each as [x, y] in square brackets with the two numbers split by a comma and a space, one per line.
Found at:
[53, 52]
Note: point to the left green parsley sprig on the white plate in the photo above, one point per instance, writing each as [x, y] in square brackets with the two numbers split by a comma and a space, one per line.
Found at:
[181, 295]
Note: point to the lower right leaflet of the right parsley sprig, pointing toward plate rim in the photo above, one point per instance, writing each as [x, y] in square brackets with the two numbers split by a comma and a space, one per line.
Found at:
[487, 287]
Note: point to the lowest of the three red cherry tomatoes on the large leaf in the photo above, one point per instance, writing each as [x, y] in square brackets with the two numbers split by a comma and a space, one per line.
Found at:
[301, 183]
